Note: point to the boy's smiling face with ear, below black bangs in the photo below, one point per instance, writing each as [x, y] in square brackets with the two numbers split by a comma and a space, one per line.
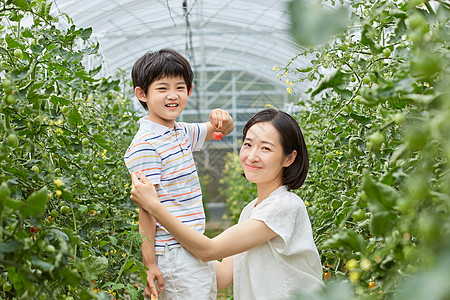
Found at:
[166, 98]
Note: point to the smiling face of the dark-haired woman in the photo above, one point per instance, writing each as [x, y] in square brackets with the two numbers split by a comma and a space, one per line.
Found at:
[262, 157]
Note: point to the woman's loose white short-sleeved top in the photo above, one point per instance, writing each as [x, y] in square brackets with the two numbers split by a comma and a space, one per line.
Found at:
[287, 263]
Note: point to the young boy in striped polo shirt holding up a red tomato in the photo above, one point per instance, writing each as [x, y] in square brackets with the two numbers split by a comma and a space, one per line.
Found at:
[162, 149]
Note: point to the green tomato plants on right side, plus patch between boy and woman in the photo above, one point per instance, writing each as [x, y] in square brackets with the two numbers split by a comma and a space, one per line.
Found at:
[377, 124]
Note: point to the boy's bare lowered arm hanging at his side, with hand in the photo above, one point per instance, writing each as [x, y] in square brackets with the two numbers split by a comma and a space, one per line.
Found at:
[147, 226]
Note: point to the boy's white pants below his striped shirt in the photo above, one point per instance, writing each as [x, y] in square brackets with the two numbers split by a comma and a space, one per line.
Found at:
[186, 276]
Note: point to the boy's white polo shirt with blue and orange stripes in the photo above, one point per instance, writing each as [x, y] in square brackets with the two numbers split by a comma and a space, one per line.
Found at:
[164, 155]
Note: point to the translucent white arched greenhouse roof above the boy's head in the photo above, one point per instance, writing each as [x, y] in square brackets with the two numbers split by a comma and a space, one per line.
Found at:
[213, 35]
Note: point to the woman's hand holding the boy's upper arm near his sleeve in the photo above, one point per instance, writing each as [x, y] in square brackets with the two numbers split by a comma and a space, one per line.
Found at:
[143, 193]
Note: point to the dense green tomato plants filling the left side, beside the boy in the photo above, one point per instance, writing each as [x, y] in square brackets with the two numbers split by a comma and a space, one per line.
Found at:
[67, 227]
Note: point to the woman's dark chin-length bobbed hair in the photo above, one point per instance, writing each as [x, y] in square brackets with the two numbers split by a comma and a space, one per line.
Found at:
[291, 139]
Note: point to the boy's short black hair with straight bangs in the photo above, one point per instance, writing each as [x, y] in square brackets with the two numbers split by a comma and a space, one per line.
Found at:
[159, 64]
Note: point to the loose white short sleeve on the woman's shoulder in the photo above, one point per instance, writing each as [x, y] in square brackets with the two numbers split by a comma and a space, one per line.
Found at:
[287, 217]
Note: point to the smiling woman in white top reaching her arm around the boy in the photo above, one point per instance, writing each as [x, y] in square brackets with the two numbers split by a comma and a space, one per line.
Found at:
[270, 253]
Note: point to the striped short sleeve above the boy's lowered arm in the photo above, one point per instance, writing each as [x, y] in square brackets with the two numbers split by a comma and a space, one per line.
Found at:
[141, 156]
